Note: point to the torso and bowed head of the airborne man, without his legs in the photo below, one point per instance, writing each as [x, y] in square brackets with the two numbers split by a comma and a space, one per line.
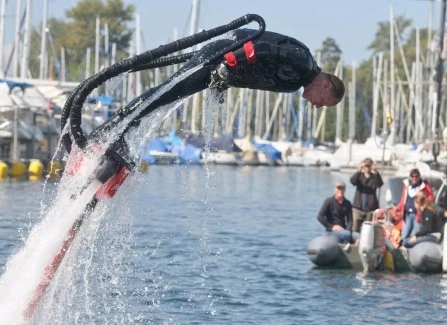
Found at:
[278, 63]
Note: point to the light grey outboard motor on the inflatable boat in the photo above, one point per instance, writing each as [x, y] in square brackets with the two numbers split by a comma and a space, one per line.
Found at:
[372, 243]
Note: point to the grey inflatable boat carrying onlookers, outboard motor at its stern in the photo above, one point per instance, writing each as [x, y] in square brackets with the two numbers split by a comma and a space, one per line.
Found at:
[375, 251]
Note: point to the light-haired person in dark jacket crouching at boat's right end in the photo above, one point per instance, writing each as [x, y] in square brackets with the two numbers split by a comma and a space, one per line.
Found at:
[432, 222]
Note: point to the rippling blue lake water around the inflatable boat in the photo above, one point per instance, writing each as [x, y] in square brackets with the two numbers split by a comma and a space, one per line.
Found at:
[212, 245]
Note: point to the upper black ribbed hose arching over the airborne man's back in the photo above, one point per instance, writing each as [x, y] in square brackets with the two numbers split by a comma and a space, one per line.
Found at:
[86, 87]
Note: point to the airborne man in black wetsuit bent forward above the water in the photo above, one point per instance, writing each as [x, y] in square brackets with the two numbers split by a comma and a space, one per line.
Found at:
[273, 62]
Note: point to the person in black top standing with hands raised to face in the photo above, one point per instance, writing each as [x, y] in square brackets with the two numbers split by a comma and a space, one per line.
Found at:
[366, 180]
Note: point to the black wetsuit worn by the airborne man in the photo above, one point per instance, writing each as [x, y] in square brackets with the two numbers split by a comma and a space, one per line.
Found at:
[283, 64]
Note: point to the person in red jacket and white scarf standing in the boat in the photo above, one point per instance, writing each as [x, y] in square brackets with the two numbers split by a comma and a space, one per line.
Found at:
[411, 216]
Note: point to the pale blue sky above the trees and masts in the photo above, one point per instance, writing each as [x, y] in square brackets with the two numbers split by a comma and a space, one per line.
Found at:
[352, 23]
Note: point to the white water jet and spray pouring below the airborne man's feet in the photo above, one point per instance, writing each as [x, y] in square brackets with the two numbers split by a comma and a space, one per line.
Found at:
[80, 284]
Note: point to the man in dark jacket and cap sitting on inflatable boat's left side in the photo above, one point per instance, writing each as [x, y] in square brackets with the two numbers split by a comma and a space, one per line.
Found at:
[336, 216]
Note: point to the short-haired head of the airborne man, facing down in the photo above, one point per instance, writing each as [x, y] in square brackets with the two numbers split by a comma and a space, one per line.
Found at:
[325, 90]
